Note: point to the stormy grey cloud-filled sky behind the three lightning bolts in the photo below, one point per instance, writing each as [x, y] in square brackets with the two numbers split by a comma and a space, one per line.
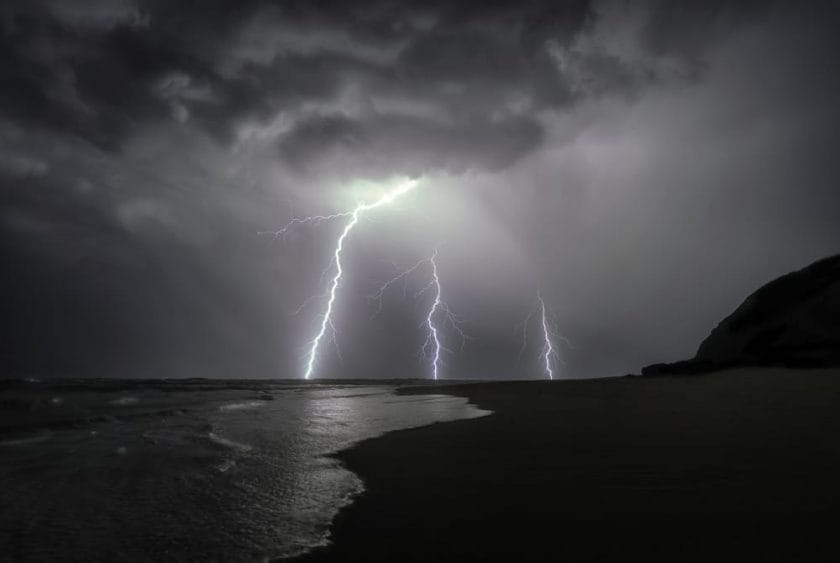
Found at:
[643, 166]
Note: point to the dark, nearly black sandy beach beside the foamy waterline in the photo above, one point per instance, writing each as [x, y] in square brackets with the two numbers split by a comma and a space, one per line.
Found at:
[738, 465]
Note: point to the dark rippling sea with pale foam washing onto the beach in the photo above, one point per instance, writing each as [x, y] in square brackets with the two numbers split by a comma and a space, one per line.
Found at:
[186, 470]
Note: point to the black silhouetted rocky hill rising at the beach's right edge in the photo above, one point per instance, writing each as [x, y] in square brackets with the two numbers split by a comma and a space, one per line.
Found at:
[793, 321]
